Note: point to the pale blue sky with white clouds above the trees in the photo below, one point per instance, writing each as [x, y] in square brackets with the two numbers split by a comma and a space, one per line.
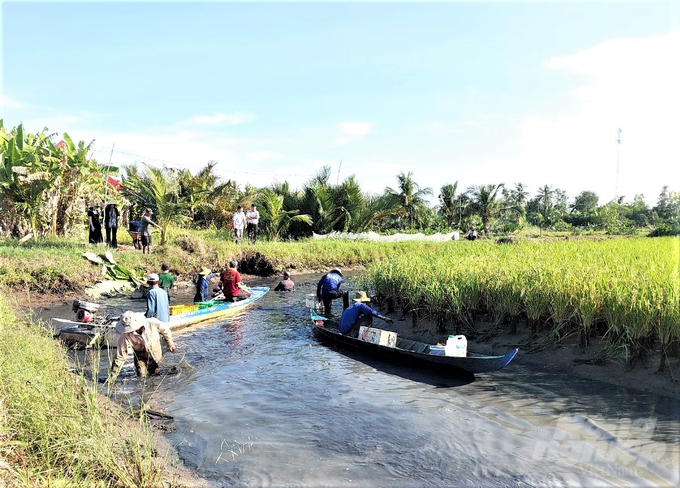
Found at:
[471, 92]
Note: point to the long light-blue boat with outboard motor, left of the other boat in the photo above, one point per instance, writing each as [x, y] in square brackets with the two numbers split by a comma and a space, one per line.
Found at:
[100, 334]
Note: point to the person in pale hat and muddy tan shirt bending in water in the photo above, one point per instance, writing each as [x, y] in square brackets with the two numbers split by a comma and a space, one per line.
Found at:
[140, 336]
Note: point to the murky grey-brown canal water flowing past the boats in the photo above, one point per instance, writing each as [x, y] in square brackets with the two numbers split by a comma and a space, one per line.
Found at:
[258, 402]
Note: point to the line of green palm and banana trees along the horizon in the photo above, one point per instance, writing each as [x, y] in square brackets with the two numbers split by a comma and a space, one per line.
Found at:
[46, 187]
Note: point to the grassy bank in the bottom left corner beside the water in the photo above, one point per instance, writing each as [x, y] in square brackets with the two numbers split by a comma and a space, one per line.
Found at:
[54, 428]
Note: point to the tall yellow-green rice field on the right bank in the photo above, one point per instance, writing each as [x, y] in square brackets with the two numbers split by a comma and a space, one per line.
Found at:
[626, 290]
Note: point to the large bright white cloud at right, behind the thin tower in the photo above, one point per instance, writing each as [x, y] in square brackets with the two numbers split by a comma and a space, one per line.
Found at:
[630, 84]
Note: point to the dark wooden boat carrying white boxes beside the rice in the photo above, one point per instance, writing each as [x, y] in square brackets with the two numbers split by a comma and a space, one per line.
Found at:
[408, 352]
